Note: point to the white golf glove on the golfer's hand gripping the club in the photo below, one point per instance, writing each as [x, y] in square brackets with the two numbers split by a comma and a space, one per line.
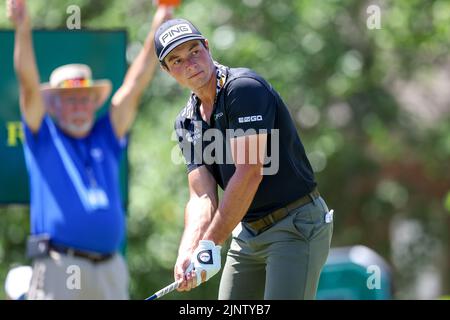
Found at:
[205, 261]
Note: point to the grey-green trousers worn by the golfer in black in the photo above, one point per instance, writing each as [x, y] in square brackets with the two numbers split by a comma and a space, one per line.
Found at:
[283, 262]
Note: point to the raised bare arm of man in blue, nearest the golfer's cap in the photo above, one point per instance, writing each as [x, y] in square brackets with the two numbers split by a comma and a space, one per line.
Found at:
[125, 101]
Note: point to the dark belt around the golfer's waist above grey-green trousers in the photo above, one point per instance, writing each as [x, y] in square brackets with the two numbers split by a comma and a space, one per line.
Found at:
[275, 216]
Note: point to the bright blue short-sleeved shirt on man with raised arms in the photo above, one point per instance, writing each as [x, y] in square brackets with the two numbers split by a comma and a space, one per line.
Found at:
[74, 186]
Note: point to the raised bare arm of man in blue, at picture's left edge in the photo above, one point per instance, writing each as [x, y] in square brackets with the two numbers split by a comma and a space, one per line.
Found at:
[31, 102]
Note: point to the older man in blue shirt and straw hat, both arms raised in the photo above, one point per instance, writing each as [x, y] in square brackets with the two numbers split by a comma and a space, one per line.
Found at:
[77, 219]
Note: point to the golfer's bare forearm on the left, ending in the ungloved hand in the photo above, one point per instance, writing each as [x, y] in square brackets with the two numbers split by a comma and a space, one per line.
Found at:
[198, 215]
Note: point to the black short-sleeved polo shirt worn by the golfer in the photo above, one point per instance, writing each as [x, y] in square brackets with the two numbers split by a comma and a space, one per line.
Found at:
[247, 105]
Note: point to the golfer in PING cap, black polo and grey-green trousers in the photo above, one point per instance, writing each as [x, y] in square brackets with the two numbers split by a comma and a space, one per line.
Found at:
[281, 227]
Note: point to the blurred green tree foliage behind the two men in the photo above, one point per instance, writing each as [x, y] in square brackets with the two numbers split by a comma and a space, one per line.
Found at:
[372, 106]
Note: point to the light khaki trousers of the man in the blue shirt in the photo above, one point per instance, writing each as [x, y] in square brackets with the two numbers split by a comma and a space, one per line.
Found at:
[65, 277]
